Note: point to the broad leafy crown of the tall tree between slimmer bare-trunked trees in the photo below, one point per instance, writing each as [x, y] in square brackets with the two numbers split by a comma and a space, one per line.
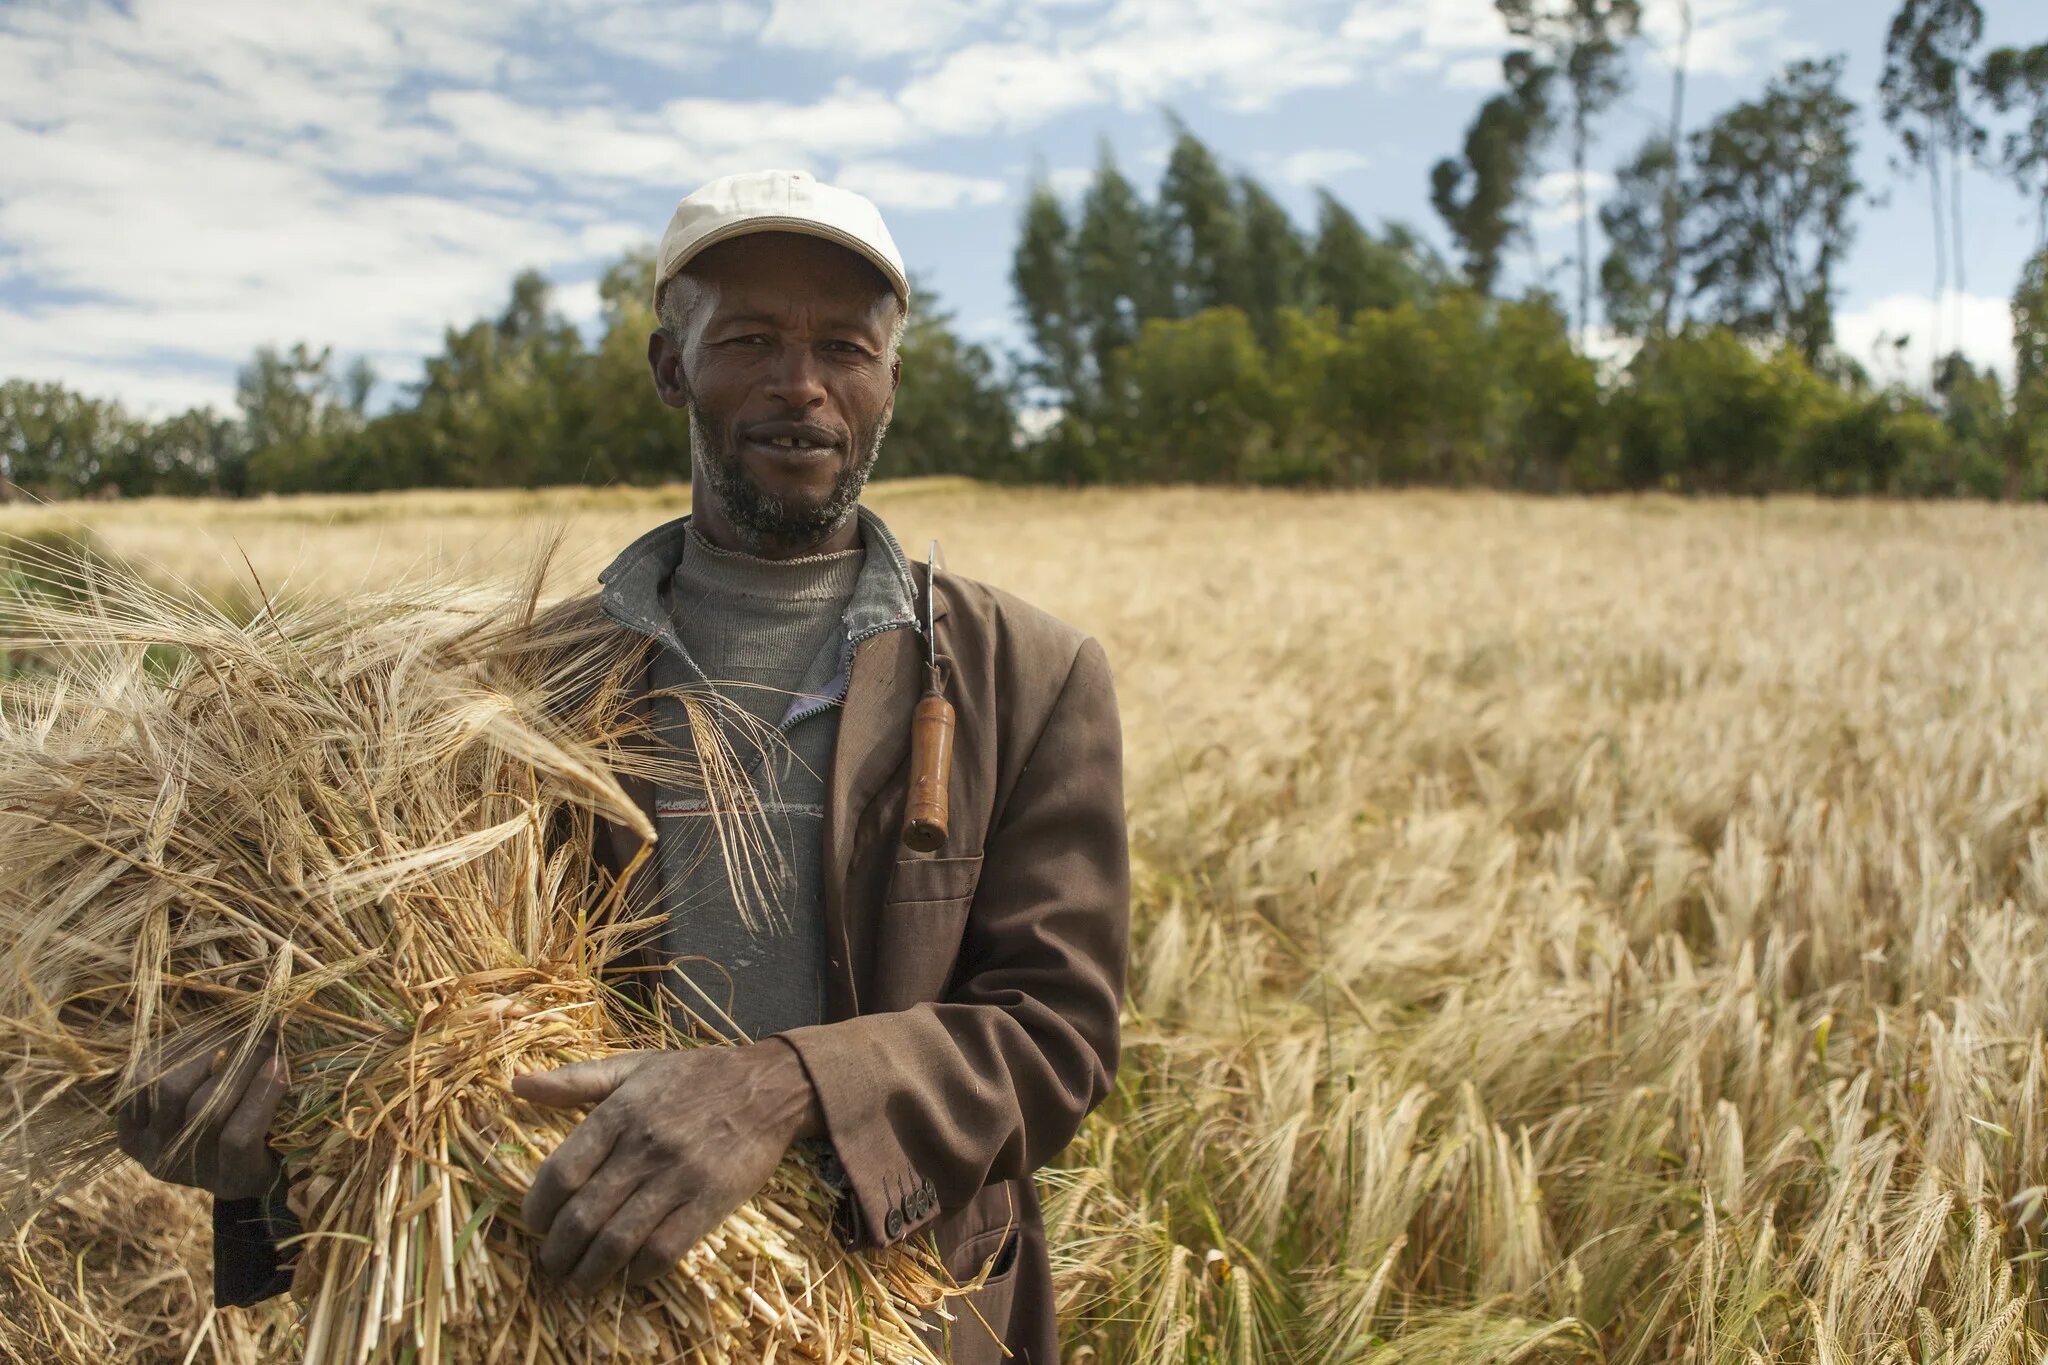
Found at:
[1777, 187]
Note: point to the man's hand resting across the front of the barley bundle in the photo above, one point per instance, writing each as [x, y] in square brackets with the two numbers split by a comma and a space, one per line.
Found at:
[677, 1143]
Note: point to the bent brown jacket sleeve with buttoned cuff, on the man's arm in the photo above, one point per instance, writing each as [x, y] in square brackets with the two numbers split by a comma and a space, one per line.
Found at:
[929, 1104]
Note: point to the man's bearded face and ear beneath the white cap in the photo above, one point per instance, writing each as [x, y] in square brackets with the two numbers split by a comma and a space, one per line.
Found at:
[787, 376]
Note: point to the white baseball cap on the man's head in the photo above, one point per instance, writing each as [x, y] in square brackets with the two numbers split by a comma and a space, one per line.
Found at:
[777, 202]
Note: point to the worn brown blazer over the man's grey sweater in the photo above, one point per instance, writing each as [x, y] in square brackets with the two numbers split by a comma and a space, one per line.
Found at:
[972, 994]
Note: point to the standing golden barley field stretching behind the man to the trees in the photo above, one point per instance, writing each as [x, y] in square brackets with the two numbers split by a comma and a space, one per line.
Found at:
[1566, 930]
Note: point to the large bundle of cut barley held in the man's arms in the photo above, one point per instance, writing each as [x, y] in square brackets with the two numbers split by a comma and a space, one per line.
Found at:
[364, 830]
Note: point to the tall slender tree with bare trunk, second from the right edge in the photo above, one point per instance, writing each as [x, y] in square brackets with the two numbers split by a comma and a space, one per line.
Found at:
[1924, 99]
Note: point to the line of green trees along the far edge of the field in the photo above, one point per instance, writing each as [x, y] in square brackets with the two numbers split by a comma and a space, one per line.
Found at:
[1201, 335]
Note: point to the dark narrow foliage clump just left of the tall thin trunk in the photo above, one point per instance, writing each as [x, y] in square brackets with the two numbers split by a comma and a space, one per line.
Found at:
[1480, 195]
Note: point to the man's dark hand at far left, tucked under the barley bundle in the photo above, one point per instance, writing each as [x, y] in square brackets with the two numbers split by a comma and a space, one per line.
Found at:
[228, 1153]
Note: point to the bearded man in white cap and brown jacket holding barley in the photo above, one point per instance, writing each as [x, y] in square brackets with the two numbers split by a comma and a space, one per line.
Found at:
[937, 1022]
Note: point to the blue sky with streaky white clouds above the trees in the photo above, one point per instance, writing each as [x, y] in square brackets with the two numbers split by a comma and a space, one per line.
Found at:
[183, 181]
